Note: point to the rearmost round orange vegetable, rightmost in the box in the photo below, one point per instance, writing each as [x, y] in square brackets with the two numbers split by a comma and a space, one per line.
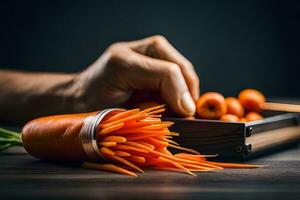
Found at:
[252, 100]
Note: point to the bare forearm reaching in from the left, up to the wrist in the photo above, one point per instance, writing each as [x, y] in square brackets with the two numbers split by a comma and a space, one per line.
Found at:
[24, 96]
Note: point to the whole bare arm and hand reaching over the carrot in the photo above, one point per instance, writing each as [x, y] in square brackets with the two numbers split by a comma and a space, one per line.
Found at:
[148, 64]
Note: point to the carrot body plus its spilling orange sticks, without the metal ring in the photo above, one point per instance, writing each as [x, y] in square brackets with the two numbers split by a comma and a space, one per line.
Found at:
[132, 139]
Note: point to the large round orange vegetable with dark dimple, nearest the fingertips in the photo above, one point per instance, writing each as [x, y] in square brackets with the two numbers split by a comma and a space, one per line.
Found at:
[211, 105]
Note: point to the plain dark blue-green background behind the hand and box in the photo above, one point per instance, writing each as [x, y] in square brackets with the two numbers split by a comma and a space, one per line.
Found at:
[233, 44]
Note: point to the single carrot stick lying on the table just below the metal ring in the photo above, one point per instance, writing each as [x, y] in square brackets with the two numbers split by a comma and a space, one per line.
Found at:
[108, 167]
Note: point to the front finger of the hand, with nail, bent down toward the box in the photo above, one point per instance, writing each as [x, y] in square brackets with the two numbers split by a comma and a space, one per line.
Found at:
[166, 77]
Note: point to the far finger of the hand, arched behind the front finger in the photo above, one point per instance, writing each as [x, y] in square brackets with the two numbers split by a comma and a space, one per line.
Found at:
[159, 47]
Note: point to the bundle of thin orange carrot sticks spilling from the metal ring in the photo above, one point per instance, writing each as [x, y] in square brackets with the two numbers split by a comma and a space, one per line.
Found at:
[136, 139]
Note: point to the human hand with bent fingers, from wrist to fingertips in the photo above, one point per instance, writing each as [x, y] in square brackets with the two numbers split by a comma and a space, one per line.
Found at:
[149, 64]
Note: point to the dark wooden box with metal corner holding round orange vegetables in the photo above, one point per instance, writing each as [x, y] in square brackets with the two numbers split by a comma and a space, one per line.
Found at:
[232, 140]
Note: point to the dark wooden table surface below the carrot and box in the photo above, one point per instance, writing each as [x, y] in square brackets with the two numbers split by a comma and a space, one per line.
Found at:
[22, 176]
